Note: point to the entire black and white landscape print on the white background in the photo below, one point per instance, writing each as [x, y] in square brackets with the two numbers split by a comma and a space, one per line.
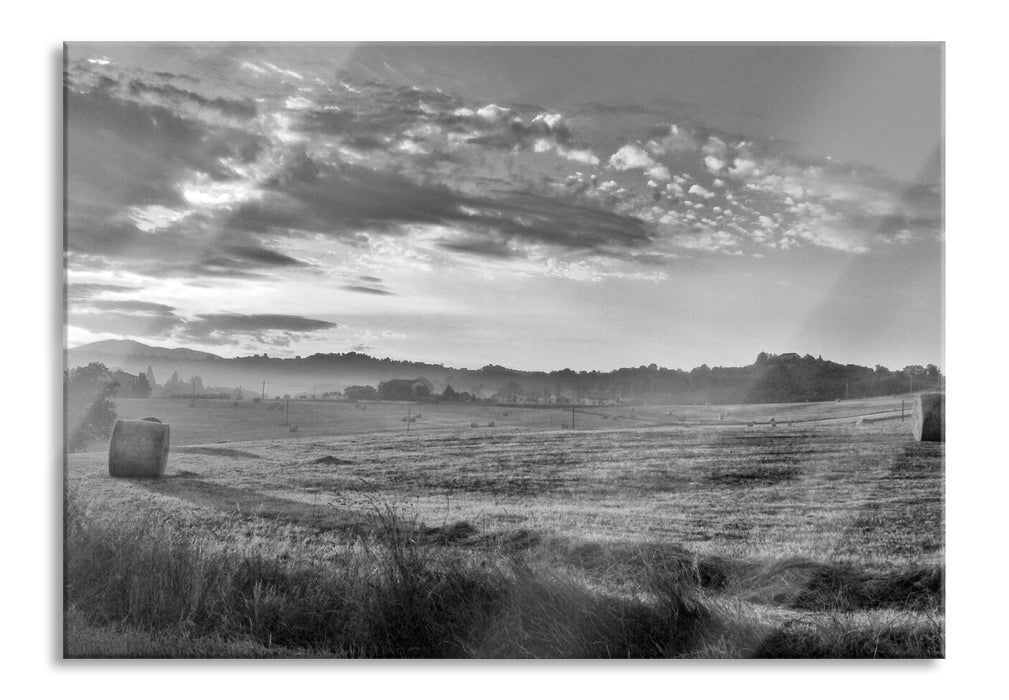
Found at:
[505, 351]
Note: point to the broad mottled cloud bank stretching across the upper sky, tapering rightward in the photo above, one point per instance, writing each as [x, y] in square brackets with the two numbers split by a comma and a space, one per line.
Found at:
[193, 183]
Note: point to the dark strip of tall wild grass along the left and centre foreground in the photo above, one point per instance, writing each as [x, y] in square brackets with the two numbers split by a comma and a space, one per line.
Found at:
[394, 596]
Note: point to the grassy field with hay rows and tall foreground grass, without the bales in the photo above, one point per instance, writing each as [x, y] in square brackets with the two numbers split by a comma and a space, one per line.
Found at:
[658, 532]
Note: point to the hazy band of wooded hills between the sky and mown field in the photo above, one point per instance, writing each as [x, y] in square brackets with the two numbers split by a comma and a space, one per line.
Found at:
[771, 379]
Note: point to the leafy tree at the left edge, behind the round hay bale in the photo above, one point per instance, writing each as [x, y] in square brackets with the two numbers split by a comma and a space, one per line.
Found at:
[90, 412]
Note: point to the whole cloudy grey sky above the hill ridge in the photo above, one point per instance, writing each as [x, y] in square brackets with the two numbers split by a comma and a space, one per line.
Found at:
[538, 207]
